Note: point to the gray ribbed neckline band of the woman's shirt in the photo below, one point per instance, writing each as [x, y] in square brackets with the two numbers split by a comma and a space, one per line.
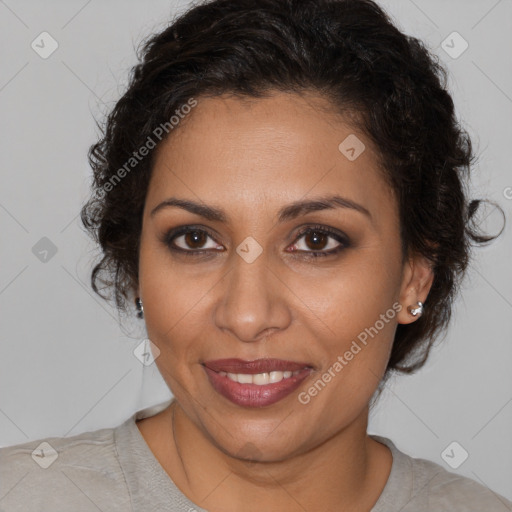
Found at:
[134, 453]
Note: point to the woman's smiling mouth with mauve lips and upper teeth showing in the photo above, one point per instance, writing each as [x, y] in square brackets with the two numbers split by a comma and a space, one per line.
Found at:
[257, 383]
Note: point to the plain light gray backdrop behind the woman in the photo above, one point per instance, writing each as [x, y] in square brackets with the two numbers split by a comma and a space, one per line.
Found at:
[67, 367]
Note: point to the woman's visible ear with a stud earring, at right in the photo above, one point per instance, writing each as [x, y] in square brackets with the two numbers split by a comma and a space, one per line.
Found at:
[417, 279]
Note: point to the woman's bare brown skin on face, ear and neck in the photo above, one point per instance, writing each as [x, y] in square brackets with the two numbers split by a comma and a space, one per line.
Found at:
[250, 158]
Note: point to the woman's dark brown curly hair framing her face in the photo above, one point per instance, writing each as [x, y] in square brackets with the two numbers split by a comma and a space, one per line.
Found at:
[347, 51]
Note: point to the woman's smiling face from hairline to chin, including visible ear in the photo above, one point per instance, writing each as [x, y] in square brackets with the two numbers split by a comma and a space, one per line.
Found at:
[258, 291]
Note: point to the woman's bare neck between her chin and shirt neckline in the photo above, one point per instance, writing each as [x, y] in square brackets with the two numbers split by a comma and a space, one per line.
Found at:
[346, 472]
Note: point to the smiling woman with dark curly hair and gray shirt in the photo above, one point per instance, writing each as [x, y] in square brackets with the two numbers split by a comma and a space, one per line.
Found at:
[280, 191]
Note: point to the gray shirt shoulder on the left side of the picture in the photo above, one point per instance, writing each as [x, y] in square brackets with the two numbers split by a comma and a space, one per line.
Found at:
[53, 473]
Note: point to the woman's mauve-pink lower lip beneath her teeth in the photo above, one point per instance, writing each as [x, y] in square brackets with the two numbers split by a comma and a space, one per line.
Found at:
[253, 395]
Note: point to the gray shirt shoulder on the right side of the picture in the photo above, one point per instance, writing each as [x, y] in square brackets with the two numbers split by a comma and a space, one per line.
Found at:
[427, 486]
